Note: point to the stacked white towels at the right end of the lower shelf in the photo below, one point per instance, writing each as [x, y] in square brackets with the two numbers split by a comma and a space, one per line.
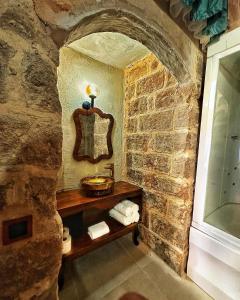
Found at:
[125, 212]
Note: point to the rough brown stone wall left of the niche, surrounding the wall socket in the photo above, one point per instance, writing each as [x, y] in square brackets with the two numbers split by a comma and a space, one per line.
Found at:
[30, 152]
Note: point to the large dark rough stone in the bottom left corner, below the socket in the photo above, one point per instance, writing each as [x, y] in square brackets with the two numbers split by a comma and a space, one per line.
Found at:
[27, 265]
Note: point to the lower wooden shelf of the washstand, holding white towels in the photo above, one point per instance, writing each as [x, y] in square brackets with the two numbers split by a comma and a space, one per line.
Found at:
[85, 244]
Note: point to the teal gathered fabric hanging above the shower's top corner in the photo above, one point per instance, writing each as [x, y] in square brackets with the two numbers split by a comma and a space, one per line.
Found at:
[214, 11]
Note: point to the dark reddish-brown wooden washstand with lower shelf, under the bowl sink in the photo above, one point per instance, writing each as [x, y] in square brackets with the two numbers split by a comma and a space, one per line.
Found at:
[78, 212]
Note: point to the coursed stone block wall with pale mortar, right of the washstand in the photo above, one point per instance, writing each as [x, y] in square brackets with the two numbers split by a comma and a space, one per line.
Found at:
[161, 129]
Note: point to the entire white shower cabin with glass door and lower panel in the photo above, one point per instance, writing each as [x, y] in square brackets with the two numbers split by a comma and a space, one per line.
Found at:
[214, 242]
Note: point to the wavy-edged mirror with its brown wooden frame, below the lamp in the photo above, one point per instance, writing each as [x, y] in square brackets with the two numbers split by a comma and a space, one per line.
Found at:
[93, 135]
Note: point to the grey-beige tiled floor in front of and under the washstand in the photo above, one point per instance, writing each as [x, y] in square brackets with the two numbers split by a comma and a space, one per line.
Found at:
[121, 267]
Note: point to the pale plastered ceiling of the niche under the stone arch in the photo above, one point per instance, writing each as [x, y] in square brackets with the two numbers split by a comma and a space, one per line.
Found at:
[111, 48]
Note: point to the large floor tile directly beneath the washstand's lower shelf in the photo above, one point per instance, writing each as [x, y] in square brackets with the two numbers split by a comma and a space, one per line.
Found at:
[102, 270]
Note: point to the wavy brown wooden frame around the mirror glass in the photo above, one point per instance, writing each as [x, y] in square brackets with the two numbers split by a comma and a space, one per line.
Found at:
[85, 112]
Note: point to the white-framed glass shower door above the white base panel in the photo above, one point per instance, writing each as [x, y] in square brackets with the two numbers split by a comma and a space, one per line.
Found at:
[217, 196]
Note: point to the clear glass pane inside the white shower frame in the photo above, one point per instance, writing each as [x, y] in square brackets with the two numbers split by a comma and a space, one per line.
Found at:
[222, 203]
